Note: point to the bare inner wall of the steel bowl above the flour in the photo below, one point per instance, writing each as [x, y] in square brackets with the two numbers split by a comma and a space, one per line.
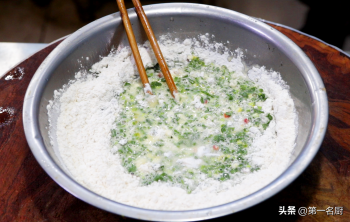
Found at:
[259, 47]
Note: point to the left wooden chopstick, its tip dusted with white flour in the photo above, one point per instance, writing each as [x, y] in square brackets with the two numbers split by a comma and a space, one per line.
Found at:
[133, 45]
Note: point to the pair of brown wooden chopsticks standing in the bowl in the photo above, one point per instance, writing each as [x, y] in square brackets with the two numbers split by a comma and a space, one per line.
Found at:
[161, 61]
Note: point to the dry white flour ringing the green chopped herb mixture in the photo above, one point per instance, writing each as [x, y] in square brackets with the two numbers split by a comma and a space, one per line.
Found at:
[87, 111]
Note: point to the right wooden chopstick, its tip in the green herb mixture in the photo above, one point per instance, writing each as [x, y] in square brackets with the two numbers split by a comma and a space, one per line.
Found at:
[161, 61]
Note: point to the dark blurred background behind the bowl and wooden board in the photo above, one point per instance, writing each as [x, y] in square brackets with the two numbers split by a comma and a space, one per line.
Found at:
[43, 21]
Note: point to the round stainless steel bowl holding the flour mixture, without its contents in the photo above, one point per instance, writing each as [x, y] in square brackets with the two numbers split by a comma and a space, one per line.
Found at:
[265, 46]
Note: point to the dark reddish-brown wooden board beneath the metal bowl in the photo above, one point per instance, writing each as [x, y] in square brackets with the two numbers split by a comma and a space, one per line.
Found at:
[27, 193]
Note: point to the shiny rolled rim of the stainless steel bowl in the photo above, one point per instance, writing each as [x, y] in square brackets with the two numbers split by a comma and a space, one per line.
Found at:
[35, 141]
